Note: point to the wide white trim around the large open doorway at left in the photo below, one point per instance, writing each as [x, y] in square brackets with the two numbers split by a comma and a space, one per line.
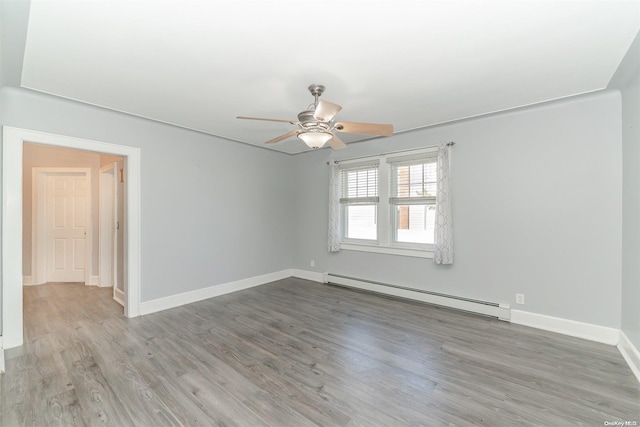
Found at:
[12, 148]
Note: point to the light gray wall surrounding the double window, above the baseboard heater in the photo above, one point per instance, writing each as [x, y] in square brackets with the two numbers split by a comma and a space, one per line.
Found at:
[536, 204]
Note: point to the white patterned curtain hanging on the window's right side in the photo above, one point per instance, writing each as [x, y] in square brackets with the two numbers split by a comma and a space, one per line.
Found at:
[443, 251]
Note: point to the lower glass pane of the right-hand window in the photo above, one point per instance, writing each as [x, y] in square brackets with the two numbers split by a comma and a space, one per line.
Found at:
[415, 223]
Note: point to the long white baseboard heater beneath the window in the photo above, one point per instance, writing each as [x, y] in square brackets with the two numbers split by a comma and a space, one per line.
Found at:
[501, 311]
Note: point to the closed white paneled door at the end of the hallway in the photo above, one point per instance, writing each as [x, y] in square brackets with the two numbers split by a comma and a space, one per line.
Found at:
[66, 221]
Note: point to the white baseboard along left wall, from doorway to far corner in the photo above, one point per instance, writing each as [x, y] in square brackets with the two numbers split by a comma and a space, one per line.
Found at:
[153, 306]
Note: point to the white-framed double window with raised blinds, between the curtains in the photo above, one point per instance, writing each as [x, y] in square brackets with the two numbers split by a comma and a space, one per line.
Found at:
[388, 203]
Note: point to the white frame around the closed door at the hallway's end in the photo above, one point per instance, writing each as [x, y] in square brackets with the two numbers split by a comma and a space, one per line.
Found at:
[38, 245]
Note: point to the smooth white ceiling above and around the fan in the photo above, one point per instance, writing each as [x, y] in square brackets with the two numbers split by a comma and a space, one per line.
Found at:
[199, 64]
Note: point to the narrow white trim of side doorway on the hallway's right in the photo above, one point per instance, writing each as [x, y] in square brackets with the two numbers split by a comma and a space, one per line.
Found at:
[107, 236]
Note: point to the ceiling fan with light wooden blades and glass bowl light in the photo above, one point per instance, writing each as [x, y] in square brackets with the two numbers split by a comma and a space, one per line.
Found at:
[317, 125]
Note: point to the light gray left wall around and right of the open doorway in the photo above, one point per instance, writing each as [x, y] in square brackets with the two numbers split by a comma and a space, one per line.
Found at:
[213, 211]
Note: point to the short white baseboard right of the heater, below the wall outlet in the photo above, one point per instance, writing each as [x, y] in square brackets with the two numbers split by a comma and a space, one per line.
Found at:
[588, 331]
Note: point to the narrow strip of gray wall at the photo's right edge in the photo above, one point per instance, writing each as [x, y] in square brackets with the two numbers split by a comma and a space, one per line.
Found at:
[627, 80]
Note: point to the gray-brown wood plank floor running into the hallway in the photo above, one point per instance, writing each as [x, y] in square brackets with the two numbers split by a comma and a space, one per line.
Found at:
[298, 353]
